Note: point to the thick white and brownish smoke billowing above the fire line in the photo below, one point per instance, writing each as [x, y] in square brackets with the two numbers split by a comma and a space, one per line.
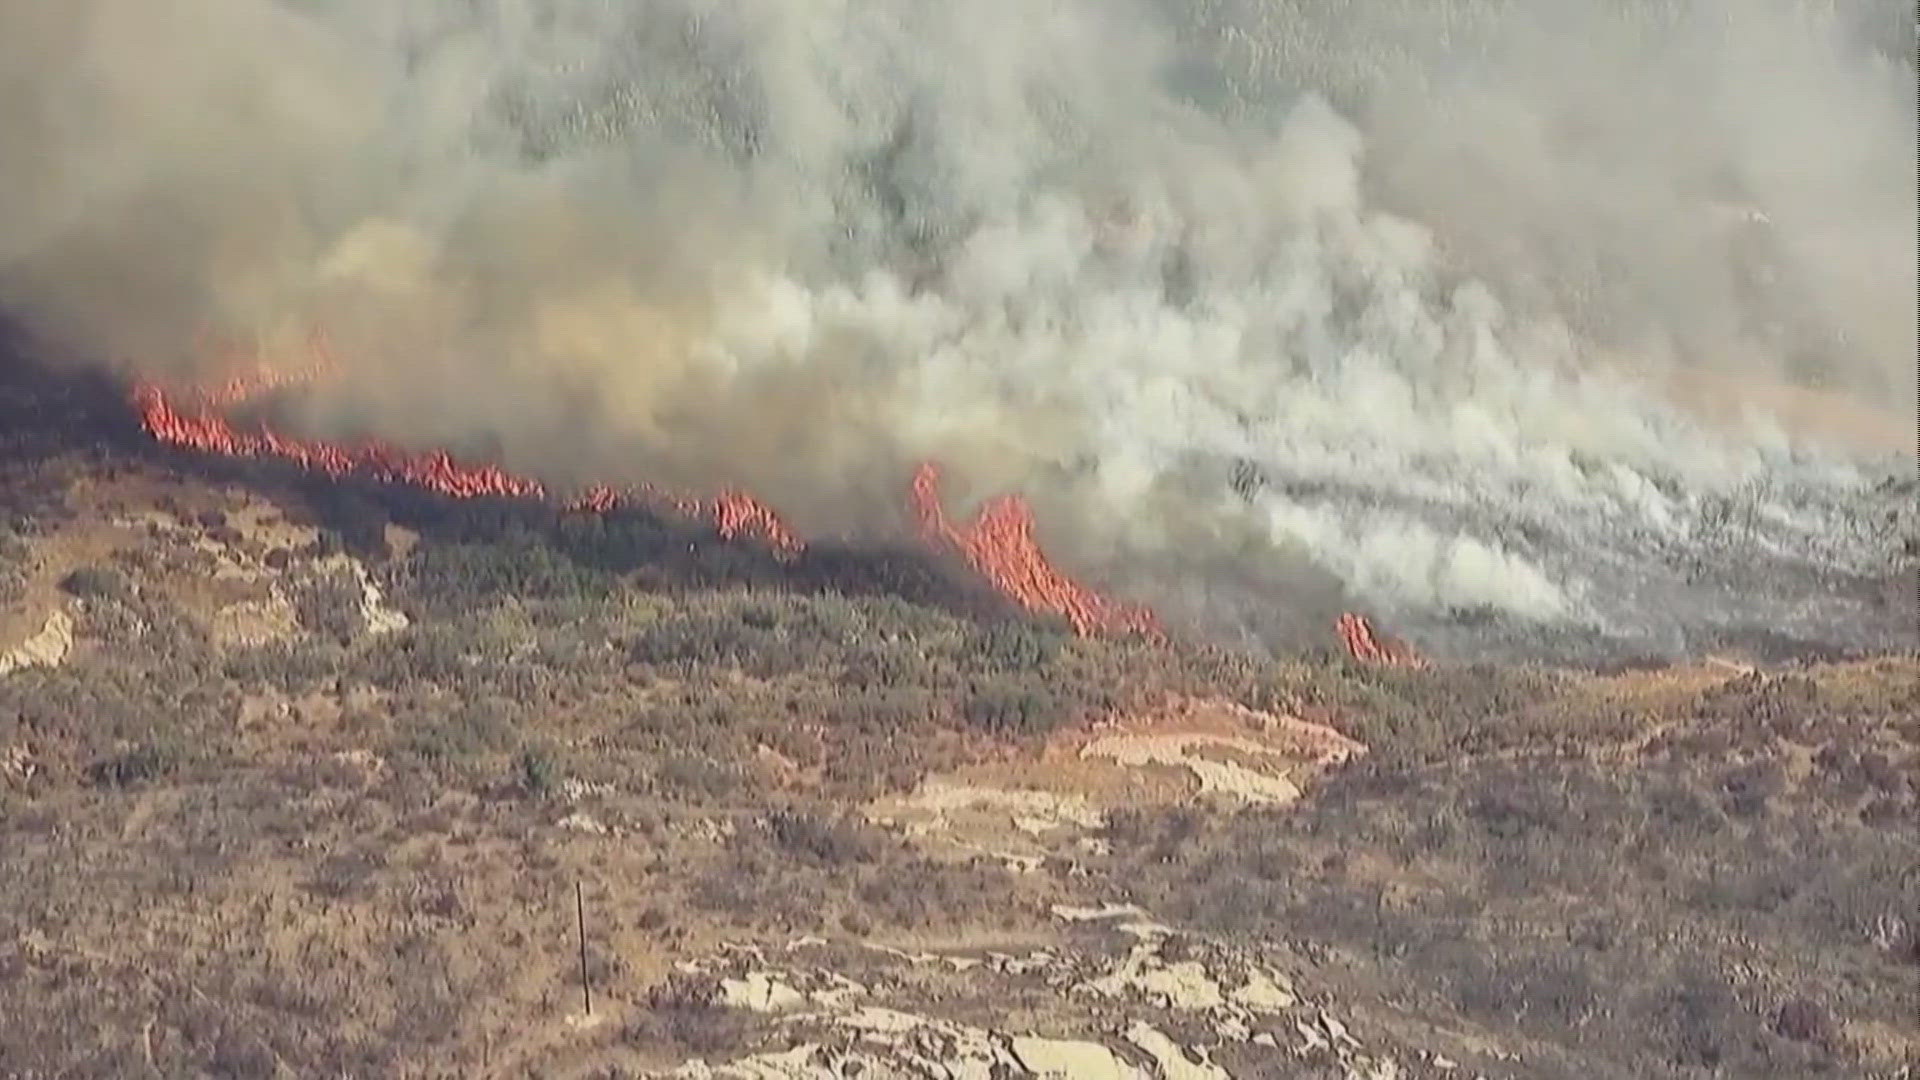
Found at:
[1512, 322]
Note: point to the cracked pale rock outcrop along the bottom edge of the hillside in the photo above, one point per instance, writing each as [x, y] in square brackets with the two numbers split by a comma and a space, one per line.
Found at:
[1143, 1002]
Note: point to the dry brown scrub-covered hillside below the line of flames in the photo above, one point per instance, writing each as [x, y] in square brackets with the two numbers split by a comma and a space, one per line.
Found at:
[300, 777]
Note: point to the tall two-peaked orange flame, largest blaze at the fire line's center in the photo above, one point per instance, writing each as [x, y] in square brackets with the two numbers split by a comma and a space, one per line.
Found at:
[999, 545]
